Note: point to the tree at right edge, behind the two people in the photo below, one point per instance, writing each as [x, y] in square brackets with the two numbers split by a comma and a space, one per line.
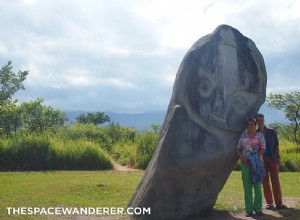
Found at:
[290, 104]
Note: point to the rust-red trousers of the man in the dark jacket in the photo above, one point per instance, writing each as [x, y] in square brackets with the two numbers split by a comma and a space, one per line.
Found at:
[272, 170]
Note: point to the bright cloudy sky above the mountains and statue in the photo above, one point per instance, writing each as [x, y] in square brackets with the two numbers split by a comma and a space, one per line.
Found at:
[123, 55]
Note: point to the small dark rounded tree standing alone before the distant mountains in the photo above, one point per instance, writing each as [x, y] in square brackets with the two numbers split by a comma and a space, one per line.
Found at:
[97, 118]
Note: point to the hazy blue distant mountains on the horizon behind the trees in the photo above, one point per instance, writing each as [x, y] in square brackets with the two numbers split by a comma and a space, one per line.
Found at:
[144, 120]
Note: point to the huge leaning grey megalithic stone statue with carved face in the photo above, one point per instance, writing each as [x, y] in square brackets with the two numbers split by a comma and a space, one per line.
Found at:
[220, 82]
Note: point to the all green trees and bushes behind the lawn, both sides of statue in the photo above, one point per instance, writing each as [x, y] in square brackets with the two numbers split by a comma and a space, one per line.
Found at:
[31, 131]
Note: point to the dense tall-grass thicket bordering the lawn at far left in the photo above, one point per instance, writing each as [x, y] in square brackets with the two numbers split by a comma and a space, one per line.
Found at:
[39, 152]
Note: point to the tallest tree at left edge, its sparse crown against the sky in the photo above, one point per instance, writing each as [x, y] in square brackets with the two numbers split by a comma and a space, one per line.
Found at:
[10, 82]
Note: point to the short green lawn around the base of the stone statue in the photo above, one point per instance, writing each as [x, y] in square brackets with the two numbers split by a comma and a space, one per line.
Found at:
[103, 189]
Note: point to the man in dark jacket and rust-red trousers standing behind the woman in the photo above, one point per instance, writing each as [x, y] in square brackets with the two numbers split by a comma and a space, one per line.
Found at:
[272, 162]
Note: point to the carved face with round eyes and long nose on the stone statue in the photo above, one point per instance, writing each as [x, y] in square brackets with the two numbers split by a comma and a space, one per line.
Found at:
[223, 86]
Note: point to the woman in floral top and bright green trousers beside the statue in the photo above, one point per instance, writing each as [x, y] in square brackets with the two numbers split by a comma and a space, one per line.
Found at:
[251, 143]
